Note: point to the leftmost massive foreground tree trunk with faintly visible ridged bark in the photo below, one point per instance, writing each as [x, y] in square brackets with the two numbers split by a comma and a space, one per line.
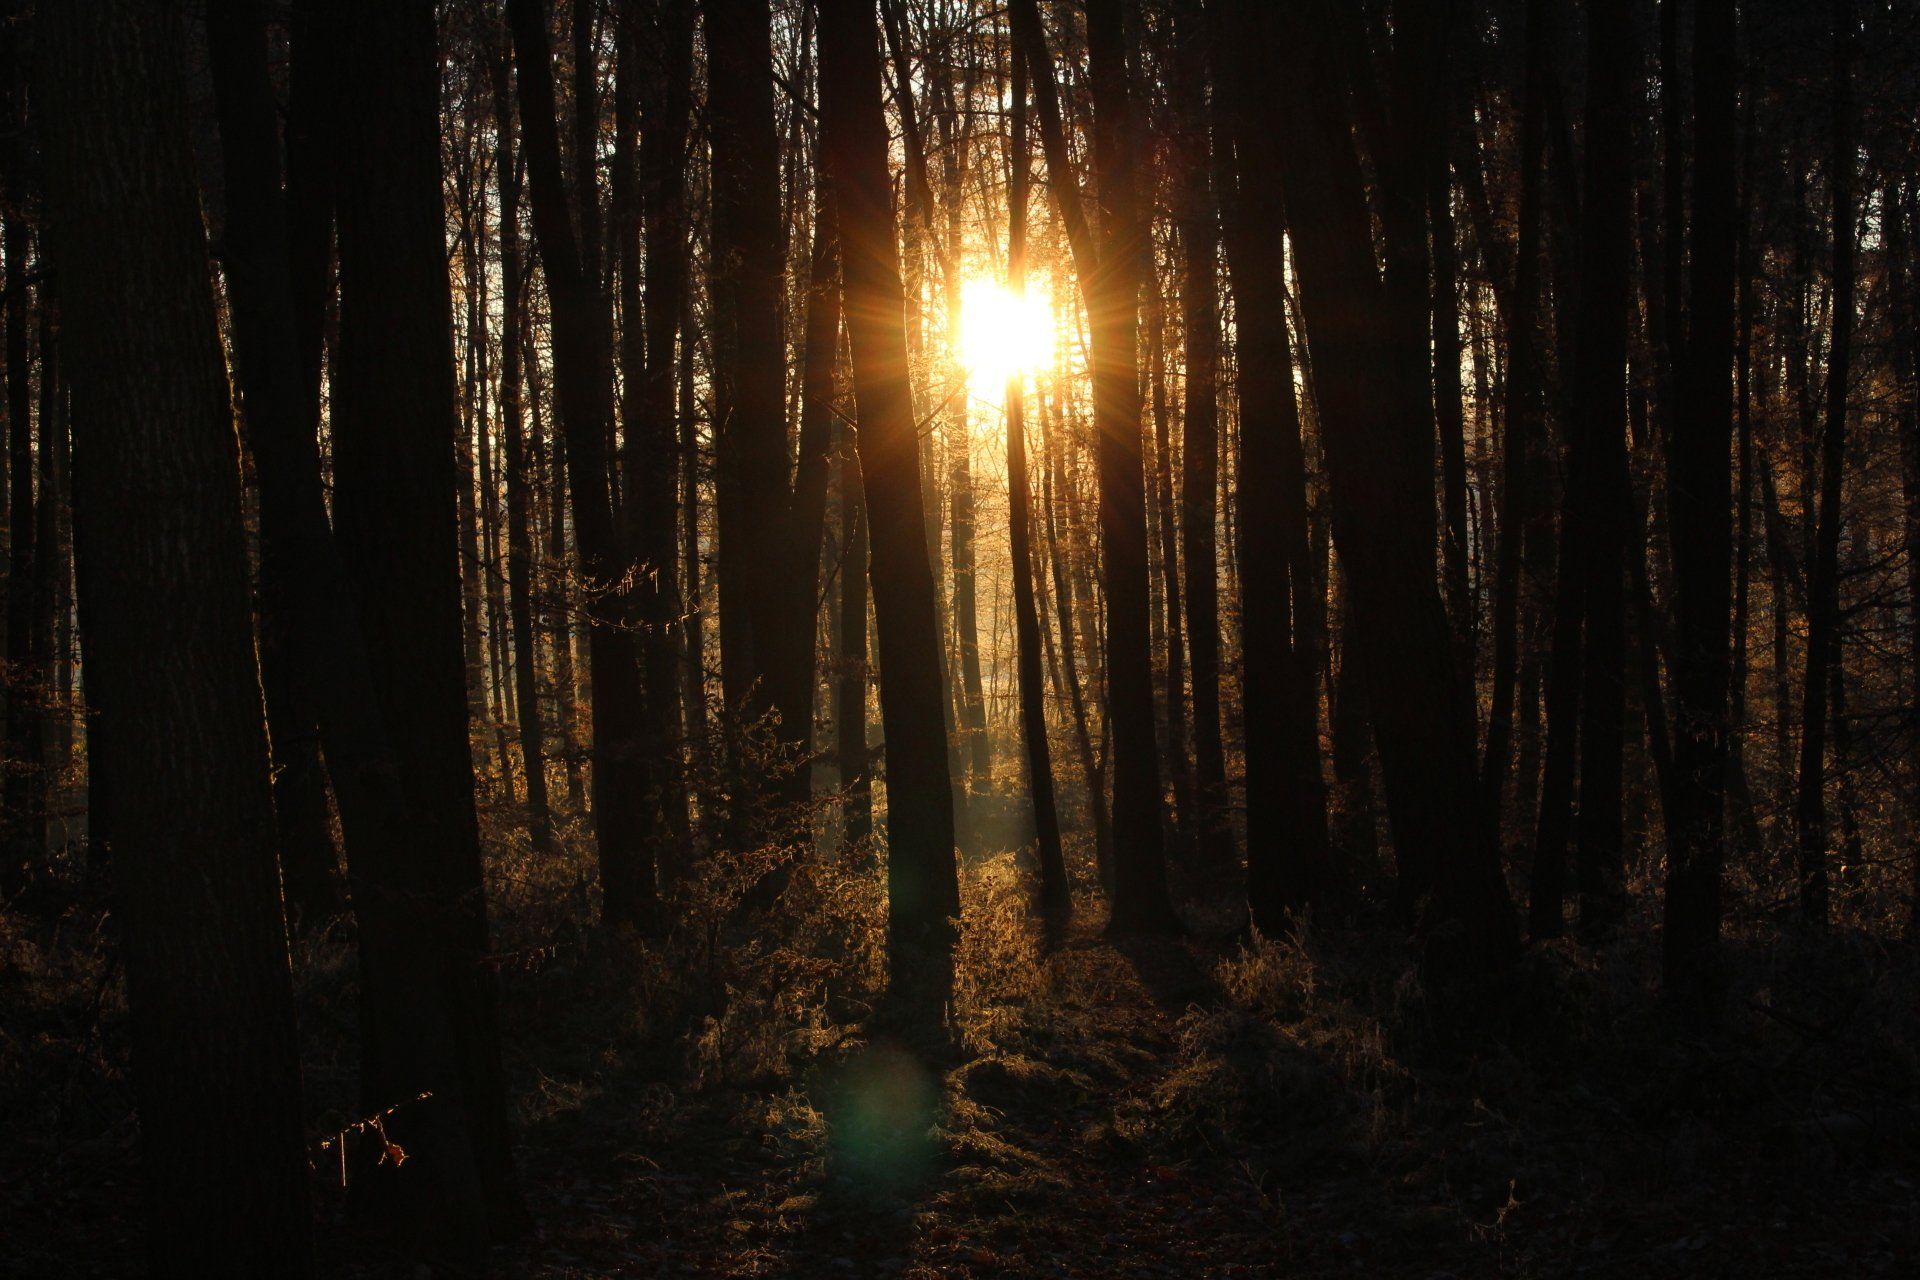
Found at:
[170, 652]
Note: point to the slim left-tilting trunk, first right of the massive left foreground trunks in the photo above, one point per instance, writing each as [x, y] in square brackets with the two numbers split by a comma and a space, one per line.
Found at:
[583, 379]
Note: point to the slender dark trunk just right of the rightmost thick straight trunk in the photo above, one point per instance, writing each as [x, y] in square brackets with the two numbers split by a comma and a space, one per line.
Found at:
[1823, 581]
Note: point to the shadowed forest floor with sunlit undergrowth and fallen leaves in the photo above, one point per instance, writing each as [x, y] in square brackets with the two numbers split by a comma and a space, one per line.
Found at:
[1115, 1108]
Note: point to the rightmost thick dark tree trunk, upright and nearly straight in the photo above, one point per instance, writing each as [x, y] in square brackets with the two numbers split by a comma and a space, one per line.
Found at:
[1698, 496]
